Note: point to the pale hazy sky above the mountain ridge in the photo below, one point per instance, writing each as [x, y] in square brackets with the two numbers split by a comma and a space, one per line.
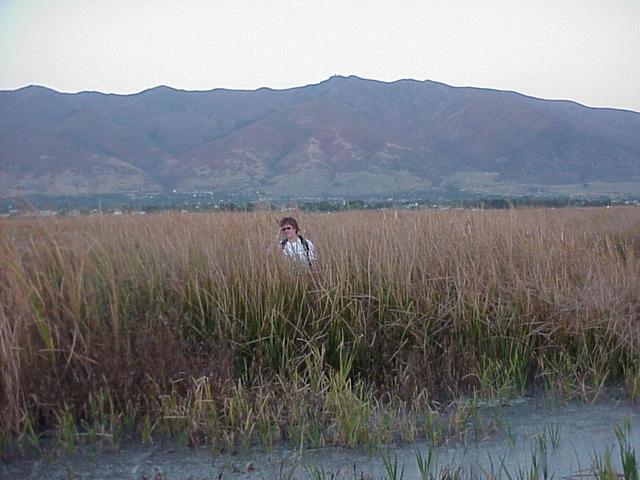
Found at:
[583, 50]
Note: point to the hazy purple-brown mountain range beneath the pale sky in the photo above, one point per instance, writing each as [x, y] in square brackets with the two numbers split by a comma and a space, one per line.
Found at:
[345, 136]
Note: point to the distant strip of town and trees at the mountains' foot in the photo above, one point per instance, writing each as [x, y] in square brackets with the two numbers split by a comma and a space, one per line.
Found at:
[198, 201]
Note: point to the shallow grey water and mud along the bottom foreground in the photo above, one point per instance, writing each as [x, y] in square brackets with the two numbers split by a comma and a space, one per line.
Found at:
[579, 432]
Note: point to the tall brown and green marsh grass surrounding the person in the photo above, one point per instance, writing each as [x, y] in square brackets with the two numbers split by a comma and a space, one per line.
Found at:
[193, 326]
